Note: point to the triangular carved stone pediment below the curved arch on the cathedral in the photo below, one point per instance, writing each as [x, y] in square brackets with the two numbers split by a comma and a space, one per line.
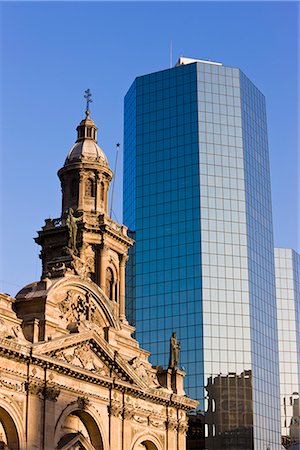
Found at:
[90, 353]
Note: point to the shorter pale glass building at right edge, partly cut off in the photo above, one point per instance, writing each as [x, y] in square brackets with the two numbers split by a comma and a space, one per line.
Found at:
[287, 270]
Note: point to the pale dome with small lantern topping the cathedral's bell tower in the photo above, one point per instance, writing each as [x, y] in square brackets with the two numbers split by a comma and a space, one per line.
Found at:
[86, 146]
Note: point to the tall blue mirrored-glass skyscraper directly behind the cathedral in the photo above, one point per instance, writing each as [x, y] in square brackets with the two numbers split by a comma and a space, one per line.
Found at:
[197, 199]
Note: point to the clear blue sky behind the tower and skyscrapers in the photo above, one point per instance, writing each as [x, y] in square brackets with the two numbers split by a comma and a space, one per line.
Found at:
[51, 52]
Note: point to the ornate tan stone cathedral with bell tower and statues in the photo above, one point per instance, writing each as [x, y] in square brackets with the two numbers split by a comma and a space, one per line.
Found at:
[72, 376]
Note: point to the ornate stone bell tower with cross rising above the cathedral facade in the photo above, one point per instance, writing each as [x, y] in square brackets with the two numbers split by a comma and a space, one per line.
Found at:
[84, 240]
